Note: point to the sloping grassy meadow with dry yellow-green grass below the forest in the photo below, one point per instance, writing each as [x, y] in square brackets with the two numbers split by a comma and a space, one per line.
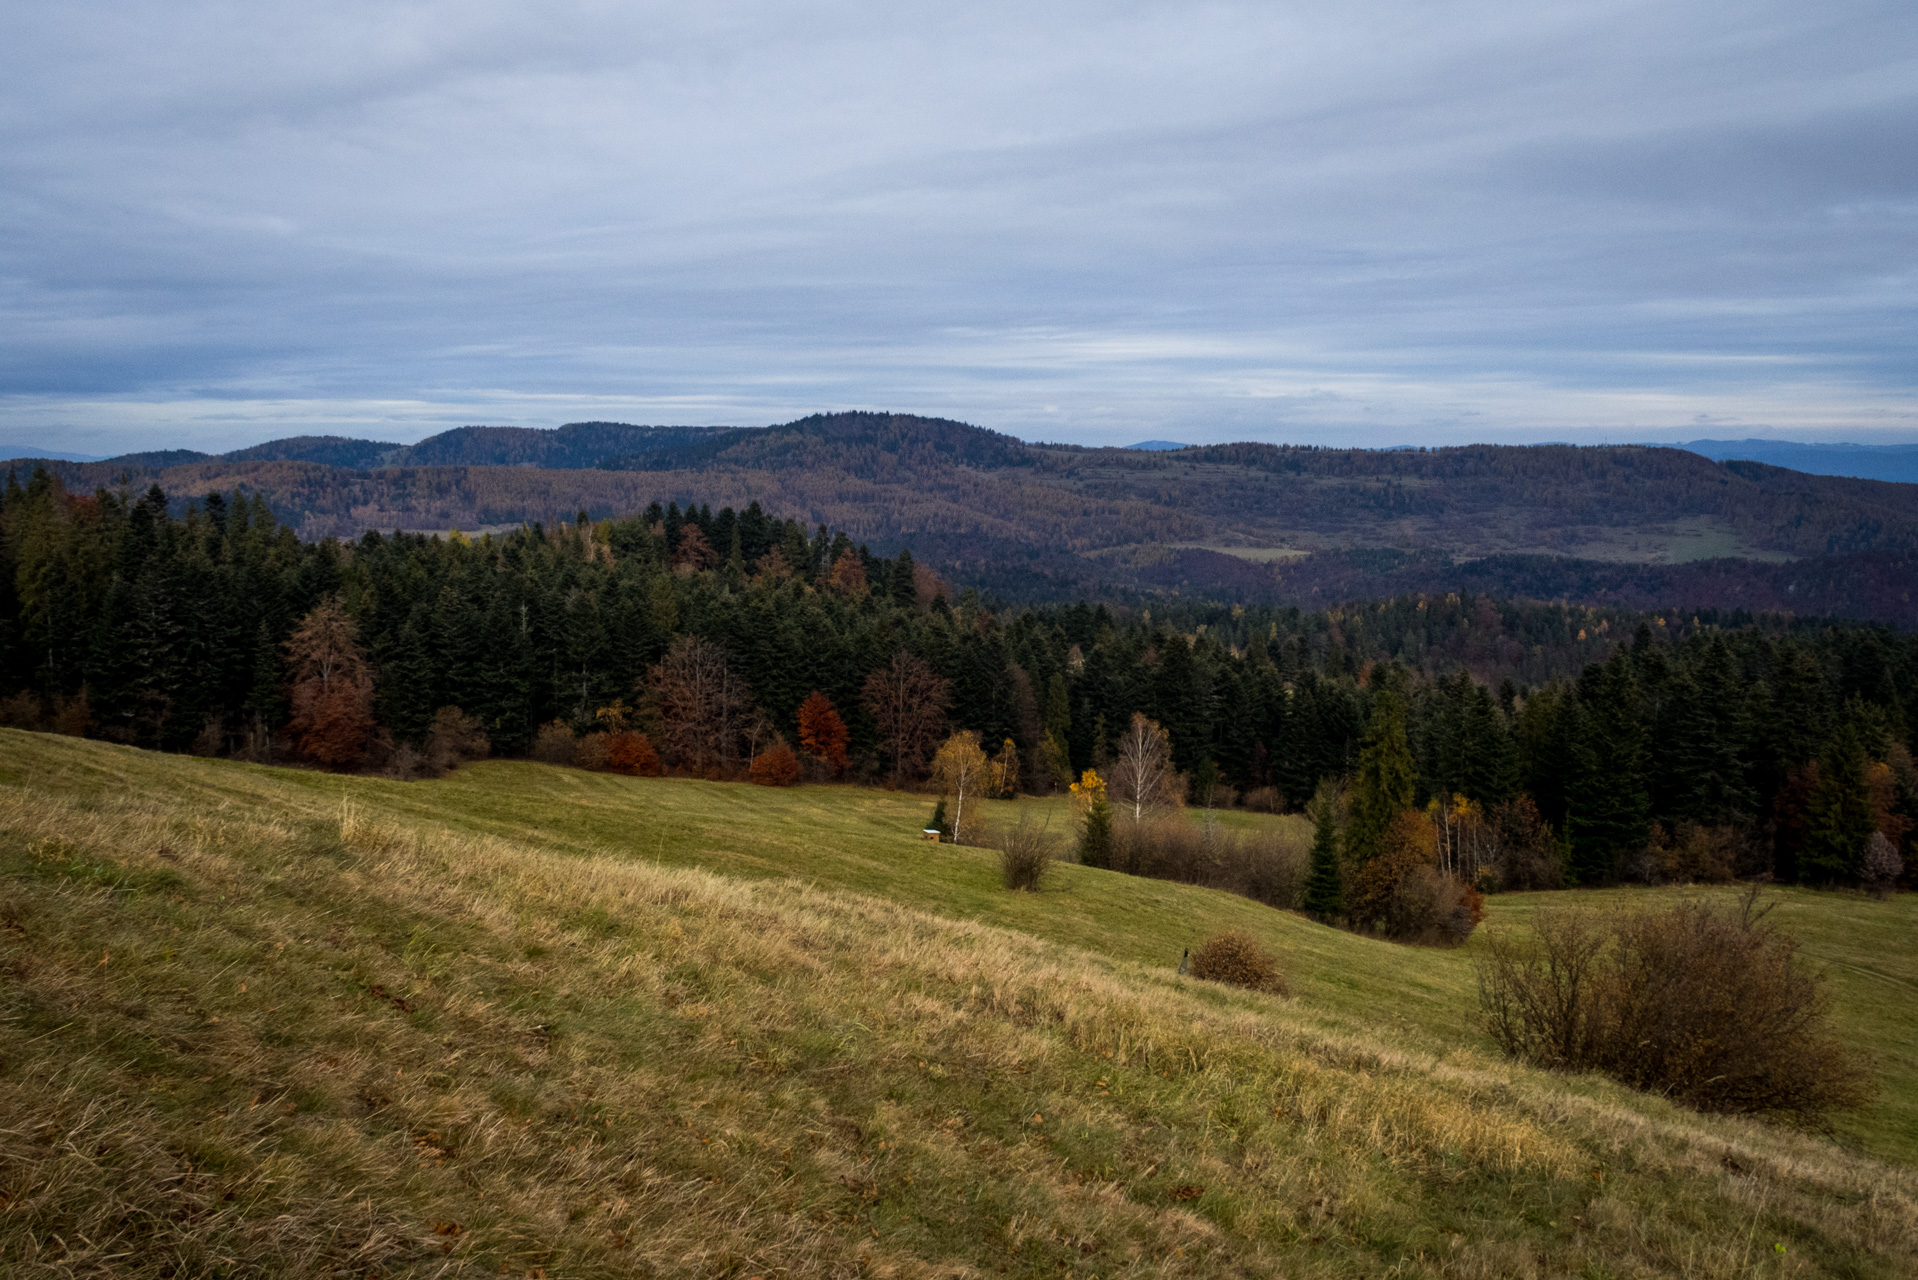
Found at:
[548, 1024]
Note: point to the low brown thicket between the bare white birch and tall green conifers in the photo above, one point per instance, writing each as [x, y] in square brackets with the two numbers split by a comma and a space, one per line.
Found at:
[1267, 866]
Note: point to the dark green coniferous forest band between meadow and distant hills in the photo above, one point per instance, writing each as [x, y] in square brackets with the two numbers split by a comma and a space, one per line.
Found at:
[1608, 744]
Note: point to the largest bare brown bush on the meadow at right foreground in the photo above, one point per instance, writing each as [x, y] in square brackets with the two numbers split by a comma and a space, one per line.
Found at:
[1700, 1005]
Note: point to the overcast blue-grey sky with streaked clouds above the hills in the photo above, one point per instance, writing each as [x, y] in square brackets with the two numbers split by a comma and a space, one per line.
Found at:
[1368, 224]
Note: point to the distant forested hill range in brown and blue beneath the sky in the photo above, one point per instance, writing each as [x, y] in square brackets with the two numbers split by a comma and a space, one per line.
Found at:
[1242, 523]
